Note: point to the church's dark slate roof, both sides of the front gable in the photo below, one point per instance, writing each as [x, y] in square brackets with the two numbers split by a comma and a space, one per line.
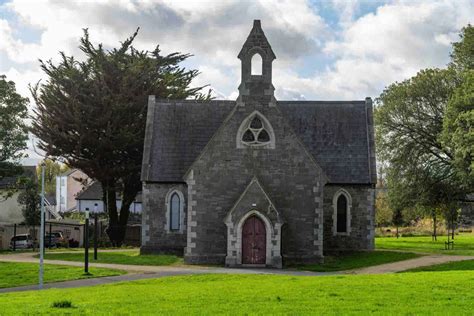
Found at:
[339, 134]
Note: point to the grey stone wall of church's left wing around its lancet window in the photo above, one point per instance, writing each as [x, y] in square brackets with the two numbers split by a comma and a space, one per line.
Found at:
[156, 238]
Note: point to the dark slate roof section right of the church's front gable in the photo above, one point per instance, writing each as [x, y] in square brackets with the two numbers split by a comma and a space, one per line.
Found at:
[336, 134]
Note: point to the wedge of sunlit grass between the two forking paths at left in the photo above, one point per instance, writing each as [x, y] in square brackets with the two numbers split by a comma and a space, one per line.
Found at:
[17, 274]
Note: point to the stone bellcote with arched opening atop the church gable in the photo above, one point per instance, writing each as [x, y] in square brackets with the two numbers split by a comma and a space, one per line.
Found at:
[256, 57]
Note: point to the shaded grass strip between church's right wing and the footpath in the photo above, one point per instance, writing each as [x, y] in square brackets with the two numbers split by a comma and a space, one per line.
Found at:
[357, 260]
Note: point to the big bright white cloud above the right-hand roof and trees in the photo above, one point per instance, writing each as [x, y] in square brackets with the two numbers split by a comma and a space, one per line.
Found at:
[392, 44]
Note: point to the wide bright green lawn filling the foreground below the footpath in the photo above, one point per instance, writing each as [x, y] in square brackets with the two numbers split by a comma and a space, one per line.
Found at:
[440, 293]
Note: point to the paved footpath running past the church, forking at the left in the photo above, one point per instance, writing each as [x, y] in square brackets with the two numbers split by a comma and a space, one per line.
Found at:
[138, 272]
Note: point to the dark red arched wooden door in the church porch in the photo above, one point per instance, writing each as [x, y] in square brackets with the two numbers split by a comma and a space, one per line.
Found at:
[254, 241]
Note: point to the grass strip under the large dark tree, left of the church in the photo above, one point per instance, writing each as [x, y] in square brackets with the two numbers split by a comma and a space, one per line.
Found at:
[120, 257]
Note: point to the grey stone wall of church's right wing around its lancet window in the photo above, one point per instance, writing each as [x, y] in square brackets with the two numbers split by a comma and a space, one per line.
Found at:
[362, 218]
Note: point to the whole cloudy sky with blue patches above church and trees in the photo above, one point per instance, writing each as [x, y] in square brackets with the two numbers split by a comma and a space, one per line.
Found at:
[326, 50]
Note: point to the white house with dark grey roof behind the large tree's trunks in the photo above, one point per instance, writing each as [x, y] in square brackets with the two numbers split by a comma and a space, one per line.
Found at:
[90, 199]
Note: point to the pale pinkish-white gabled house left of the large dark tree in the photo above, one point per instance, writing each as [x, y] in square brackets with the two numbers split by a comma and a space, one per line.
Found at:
[68, 185]
